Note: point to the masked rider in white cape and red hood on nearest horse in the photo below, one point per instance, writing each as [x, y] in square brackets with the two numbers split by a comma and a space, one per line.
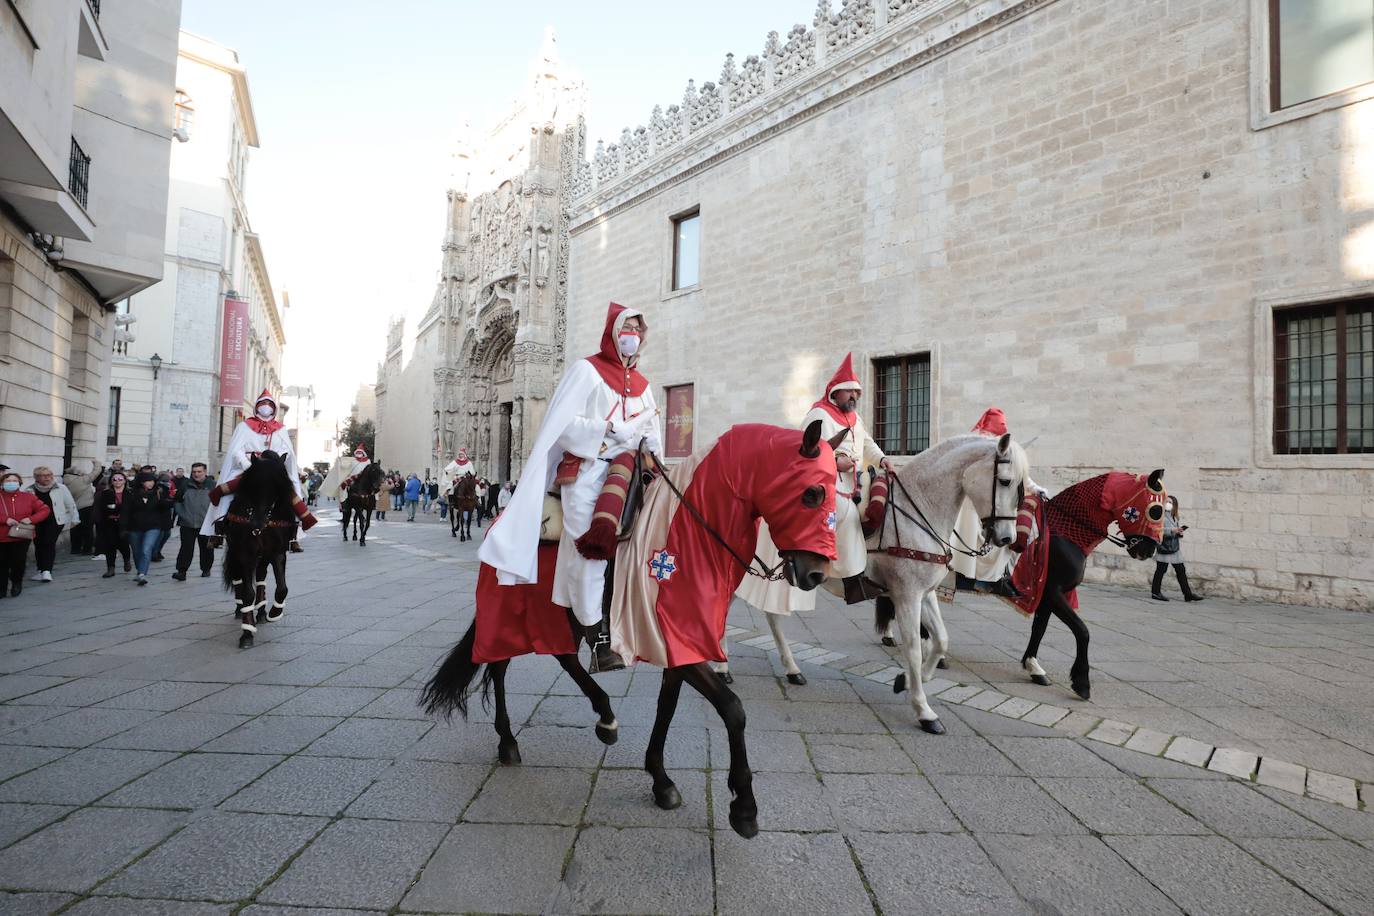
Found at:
[601, 409]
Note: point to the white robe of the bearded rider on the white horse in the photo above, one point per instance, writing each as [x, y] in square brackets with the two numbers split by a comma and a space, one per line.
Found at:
[853, 554]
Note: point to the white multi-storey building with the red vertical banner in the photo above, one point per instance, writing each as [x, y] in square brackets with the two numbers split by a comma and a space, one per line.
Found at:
[168, 406]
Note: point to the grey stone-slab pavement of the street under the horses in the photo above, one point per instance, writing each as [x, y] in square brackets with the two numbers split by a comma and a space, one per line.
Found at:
[149, 767]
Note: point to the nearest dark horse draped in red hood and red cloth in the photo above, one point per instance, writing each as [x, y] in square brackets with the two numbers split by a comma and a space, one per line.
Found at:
[674, 583]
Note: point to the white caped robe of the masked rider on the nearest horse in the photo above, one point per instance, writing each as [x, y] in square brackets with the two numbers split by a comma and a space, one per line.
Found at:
[575, 422]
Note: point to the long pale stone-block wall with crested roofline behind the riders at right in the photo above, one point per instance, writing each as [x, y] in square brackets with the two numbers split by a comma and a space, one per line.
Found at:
[1101, 218]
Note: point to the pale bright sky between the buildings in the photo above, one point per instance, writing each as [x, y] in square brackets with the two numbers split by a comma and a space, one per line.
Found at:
[358, 108]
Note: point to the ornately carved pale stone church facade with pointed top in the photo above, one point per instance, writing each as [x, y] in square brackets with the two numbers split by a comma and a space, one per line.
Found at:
[488, 352]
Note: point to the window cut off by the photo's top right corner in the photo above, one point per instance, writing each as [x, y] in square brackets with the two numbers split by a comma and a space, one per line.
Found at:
[1320, 49]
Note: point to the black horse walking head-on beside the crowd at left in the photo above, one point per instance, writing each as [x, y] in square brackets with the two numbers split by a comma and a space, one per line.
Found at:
[258, 531]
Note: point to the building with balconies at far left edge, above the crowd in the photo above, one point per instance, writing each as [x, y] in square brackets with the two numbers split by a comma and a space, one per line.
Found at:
[86, 127]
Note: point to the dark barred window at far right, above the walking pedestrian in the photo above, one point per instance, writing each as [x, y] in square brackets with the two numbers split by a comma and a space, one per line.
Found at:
[1324, 380]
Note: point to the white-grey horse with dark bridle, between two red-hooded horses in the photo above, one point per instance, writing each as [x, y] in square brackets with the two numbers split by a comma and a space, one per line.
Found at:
[924, 501]
